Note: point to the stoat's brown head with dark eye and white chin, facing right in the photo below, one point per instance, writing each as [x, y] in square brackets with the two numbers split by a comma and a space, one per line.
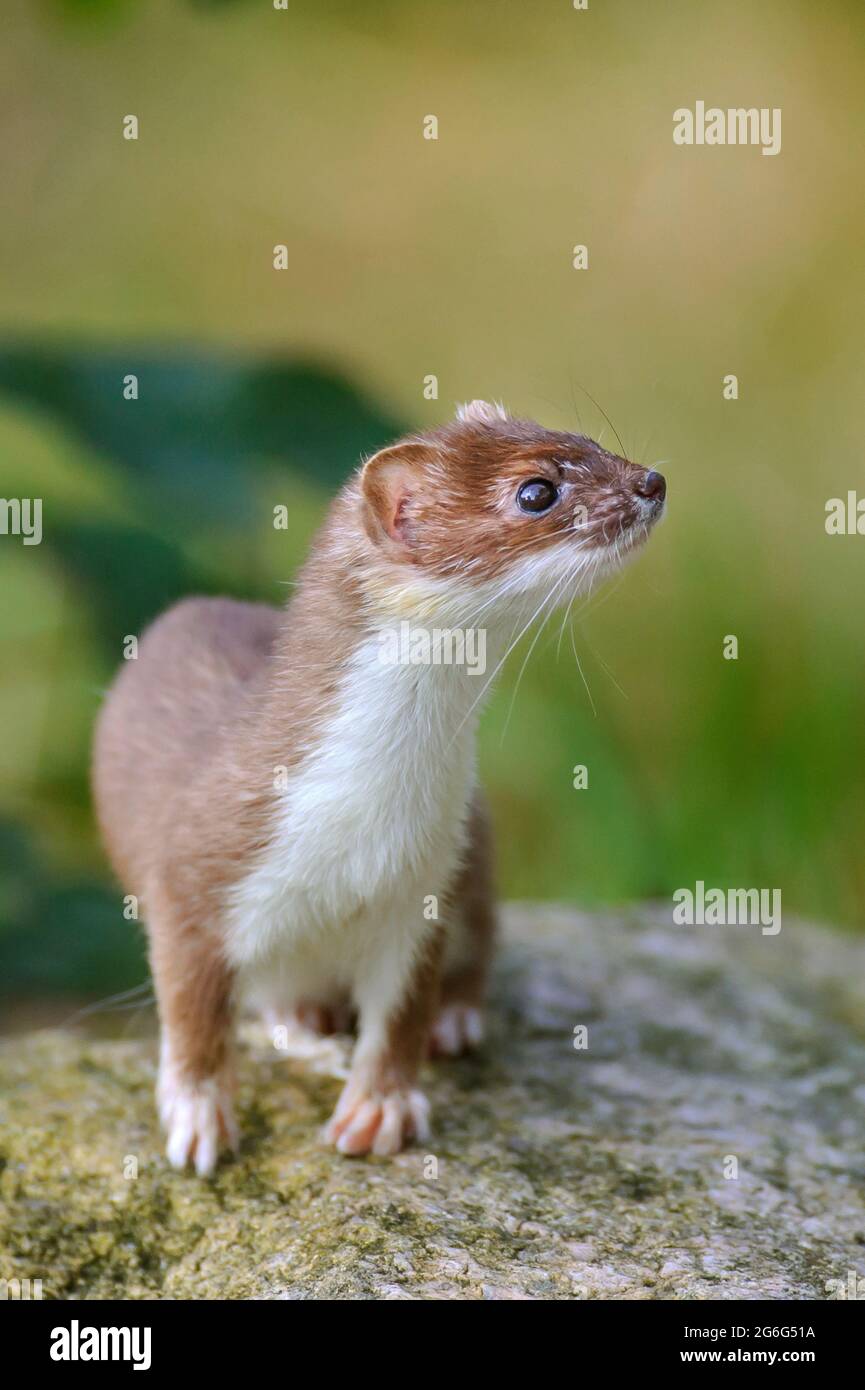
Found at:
[504, 504]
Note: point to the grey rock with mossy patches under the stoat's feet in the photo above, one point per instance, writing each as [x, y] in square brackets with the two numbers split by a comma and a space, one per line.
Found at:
[554, 1172]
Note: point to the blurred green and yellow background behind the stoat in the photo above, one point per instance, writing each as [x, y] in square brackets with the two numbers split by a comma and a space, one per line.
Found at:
[453, 258]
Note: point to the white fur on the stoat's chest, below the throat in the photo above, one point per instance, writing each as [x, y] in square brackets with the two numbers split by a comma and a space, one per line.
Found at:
[372, 822]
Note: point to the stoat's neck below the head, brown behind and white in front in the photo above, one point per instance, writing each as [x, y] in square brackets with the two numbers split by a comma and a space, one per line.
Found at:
[372, 657]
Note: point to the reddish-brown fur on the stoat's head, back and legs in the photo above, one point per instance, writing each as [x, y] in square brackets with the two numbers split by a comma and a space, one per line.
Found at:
[222, 694]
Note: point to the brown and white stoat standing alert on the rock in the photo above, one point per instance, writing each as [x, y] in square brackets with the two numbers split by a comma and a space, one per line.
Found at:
[294, 799]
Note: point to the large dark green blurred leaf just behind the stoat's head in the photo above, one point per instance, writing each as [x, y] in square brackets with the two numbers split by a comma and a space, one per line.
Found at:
[201, 423]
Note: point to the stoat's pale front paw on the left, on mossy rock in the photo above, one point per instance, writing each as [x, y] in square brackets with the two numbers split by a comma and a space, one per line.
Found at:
[198, 1118]
